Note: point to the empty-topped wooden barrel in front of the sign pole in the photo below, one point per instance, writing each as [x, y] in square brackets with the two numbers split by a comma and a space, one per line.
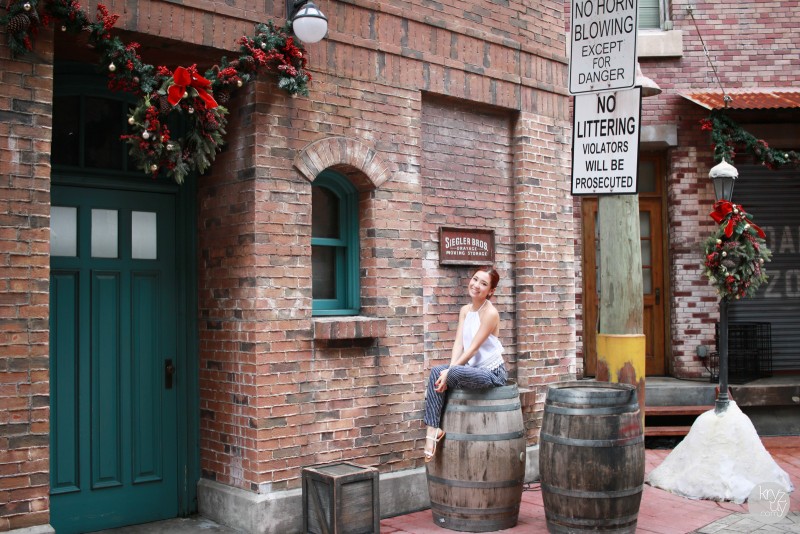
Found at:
[591, 457]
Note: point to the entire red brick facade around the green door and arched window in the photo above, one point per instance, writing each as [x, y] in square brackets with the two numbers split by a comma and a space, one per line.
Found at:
[272, 398]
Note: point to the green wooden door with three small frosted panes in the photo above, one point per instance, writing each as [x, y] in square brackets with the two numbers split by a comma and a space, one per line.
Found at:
[114, 452]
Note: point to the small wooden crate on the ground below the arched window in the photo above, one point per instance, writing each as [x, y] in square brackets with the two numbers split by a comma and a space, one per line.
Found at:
[341, 498]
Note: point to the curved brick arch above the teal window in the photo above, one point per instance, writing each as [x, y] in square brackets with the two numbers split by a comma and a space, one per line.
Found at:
[347, 155]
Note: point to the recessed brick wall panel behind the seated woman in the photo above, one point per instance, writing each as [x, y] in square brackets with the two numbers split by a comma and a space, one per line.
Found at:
[467, 182]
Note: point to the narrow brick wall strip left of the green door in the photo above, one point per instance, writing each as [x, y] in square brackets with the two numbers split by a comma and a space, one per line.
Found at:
[25, 108]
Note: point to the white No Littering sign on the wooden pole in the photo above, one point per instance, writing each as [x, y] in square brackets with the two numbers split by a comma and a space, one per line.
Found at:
[605, 142]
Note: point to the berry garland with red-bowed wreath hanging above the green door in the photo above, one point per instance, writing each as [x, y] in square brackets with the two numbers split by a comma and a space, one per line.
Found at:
[164, 93]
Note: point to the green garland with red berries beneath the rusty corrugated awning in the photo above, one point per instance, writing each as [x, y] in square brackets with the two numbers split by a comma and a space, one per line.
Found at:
[726, 136]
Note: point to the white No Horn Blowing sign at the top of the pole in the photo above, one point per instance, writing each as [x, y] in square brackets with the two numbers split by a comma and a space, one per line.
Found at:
[603, 45]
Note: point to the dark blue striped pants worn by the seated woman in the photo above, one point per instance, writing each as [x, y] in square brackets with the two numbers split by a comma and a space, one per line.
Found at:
[462, 377]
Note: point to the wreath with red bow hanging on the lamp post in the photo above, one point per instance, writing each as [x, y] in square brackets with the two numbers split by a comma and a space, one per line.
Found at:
[735, 252]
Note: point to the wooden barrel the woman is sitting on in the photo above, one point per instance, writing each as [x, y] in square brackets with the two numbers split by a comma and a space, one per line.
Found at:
[475, 480]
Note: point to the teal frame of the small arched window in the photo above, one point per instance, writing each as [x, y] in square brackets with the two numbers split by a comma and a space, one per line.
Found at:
[346, 246]
